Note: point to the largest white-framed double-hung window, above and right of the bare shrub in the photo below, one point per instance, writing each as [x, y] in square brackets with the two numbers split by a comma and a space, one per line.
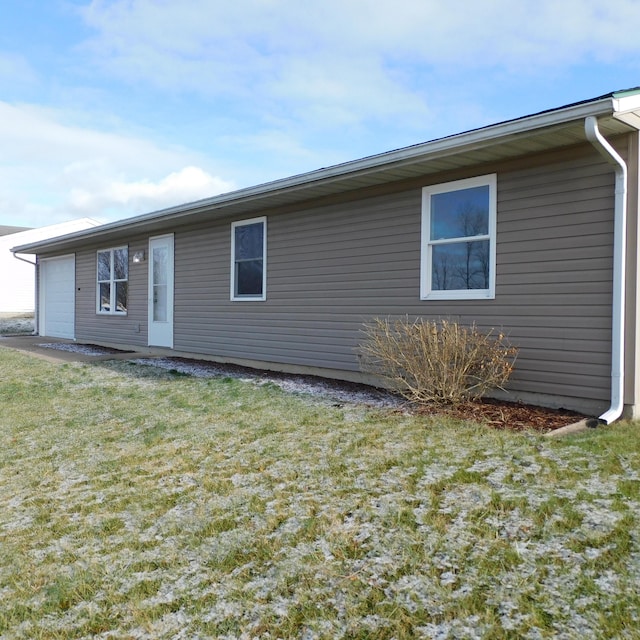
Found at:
[458, 240]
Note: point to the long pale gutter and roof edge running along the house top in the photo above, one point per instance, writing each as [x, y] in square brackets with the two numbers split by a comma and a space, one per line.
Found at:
[340, 174]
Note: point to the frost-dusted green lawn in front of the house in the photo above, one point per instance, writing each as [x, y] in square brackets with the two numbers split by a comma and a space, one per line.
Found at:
[135, 503]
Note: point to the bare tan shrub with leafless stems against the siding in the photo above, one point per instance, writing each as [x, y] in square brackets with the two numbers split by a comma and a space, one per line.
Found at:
[436, 361]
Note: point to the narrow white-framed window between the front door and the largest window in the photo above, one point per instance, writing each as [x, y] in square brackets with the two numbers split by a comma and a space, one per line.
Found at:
[248, 259]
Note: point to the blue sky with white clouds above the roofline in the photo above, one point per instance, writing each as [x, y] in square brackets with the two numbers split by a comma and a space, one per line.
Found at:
[113, 108]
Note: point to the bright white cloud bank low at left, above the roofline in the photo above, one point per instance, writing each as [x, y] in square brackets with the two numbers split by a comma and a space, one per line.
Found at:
[51, 171]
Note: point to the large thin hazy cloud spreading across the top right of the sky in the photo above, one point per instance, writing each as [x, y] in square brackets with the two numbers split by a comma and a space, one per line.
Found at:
[351, 65]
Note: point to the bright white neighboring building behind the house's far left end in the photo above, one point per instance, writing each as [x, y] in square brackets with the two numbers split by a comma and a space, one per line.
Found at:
[17, 276]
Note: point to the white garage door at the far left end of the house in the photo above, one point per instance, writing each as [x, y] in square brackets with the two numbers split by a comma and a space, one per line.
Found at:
[57, 297]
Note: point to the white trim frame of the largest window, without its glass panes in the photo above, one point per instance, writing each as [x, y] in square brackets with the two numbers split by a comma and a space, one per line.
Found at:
[426, 244]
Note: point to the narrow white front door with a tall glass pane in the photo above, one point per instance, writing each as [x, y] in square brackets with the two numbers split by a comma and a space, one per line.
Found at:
[161, 291]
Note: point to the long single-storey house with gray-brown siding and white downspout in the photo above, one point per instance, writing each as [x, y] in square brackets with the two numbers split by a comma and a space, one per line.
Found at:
[528, 226]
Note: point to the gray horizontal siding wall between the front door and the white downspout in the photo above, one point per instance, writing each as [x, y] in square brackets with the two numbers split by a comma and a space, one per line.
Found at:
[331, 268]
